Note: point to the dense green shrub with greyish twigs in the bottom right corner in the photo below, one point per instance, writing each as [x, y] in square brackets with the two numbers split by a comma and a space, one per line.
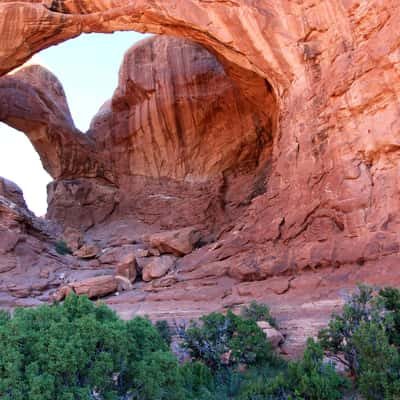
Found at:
[366, 337]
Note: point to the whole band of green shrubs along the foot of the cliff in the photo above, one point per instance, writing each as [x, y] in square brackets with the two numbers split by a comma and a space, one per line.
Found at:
[80, 350]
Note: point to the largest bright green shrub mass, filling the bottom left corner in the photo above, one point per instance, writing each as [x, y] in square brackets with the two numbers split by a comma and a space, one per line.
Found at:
[80, 351]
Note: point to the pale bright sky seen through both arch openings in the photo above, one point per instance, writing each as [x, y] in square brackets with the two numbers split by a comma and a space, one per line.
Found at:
[87, 67]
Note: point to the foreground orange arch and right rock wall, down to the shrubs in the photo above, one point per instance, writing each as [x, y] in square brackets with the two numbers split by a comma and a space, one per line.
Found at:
[329, 216]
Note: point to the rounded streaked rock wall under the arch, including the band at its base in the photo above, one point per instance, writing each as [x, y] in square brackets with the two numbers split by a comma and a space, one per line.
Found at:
[181, 135]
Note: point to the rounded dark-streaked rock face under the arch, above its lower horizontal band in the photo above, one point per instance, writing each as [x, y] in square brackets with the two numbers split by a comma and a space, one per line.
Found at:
[176, 115]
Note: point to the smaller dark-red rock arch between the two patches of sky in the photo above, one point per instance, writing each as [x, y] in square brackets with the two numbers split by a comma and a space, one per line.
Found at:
[33, 101]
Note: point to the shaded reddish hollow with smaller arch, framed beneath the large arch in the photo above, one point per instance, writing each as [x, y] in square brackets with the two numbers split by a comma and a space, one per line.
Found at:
[185, 140]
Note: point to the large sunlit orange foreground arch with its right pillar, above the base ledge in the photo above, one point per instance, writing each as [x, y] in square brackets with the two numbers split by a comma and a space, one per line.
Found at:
[325, 61]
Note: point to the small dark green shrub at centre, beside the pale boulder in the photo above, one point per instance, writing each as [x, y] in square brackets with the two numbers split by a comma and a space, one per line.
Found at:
[227, 340]
